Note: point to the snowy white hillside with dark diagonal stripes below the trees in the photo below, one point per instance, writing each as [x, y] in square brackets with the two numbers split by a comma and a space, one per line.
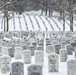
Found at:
[35, 22]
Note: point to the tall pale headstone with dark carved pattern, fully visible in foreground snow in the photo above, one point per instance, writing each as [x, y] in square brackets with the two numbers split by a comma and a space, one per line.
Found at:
[53, 63]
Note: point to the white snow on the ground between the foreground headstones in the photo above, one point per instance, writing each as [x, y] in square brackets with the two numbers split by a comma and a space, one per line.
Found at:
[62, 65]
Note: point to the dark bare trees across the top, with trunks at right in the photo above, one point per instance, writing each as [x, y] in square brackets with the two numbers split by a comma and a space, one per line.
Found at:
[66, 8]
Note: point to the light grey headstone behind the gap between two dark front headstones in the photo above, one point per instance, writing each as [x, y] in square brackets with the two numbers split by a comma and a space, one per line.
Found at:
[27, 56]
